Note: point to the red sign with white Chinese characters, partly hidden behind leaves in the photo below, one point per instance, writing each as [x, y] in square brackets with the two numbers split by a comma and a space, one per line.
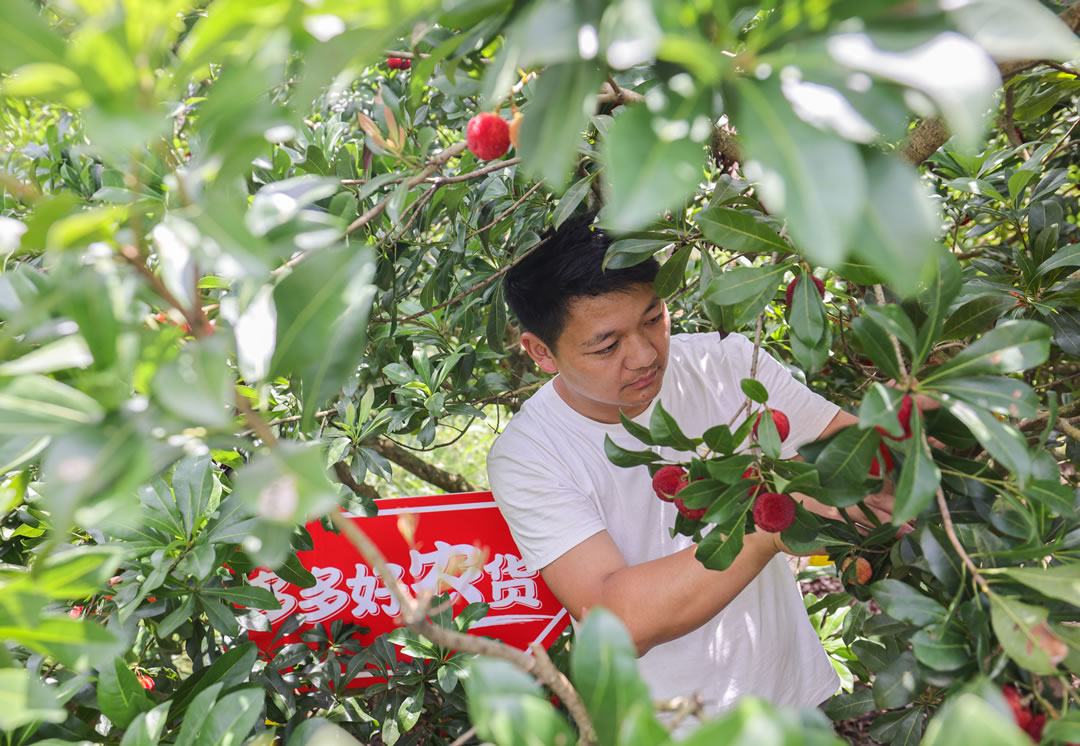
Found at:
[456, 544]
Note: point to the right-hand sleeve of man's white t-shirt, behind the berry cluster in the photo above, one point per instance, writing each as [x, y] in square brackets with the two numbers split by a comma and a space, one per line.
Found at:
[808, 412]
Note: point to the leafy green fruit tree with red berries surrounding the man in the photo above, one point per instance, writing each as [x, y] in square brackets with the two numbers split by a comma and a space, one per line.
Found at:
[252, 263]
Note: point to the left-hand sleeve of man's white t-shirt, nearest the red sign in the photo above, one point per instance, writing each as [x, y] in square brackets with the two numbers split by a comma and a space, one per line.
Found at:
[548, 517]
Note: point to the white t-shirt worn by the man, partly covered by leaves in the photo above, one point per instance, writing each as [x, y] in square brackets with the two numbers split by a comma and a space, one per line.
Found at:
[557, 489]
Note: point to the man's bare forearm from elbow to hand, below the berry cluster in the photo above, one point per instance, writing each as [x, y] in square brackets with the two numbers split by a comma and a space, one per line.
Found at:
[664, 600]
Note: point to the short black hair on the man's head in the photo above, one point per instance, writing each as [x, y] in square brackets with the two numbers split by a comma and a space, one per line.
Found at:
[569, 265]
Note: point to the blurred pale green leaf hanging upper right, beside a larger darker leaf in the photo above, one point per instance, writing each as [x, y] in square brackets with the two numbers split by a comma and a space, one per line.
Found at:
[900, 223]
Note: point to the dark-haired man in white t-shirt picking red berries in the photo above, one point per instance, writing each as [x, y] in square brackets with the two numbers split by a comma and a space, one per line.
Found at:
[597, 533]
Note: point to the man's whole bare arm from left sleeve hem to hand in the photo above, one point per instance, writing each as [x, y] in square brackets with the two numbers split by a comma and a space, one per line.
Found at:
[658, 601]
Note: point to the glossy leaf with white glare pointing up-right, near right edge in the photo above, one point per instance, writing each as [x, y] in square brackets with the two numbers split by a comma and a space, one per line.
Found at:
[1011, 347]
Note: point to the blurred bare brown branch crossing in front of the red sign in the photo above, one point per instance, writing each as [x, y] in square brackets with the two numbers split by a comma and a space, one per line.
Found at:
[415, 616]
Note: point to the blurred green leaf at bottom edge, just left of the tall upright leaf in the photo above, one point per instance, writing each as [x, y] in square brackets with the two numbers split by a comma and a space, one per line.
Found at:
[507, 707]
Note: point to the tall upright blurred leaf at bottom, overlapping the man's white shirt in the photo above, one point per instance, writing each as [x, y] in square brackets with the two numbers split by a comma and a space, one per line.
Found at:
[604, 671]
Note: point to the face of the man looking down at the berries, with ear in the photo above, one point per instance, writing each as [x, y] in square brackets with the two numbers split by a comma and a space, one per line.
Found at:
[612, 355]
